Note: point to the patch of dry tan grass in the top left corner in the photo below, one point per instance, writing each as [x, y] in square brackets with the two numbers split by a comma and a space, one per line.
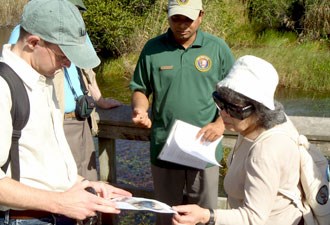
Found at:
[10, 12]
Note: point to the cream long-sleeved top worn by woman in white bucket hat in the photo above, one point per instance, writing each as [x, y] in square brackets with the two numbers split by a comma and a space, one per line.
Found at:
[254, 178]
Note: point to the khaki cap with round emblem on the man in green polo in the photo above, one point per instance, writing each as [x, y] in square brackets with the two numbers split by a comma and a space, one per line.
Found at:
[188, 8]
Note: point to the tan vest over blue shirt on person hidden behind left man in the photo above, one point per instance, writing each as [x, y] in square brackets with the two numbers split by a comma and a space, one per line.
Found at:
[59, 91]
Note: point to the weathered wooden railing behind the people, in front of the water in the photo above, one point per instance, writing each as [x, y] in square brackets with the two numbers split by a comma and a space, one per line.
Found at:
[116, 124]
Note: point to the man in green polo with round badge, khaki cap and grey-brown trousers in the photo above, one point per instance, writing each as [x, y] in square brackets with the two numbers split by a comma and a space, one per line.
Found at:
[180, 69]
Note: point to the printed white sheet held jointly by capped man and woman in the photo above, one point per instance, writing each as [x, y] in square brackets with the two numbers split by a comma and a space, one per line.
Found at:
[134, 203]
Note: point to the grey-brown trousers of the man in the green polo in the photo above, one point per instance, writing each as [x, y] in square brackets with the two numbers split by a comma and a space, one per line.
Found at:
[190, 186]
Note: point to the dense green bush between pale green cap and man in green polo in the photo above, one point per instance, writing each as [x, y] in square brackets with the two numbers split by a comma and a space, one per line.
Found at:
[110, 23]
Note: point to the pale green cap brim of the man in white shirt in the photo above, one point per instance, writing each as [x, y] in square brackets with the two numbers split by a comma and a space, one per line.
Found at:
[83, 56]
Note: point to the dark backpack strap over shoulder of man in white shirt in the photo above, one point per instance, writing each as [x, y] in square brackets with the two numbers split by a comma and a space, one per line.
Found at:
[20, 112]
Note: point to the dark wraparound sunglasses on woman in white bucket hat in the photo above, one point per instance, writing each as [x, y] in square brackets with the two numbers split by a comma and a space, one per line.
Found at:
[234, 111]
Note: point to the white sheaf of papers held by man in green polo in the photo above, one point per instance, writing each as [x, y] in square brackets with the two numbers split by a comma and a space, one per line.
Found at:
[183, 148]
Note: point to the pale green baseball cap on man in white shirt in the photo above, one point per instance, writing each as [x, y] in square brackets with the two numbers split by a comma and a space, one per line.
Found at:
[60, 22]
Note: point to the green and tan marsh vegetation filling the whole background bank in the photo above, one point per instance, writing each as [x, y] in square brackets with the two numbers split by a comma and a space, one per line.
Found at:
[291, 34]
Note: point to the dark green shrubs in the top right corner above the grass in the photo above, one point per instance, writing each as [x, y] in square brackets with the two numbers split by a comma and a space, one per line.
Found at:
[308, 18]
